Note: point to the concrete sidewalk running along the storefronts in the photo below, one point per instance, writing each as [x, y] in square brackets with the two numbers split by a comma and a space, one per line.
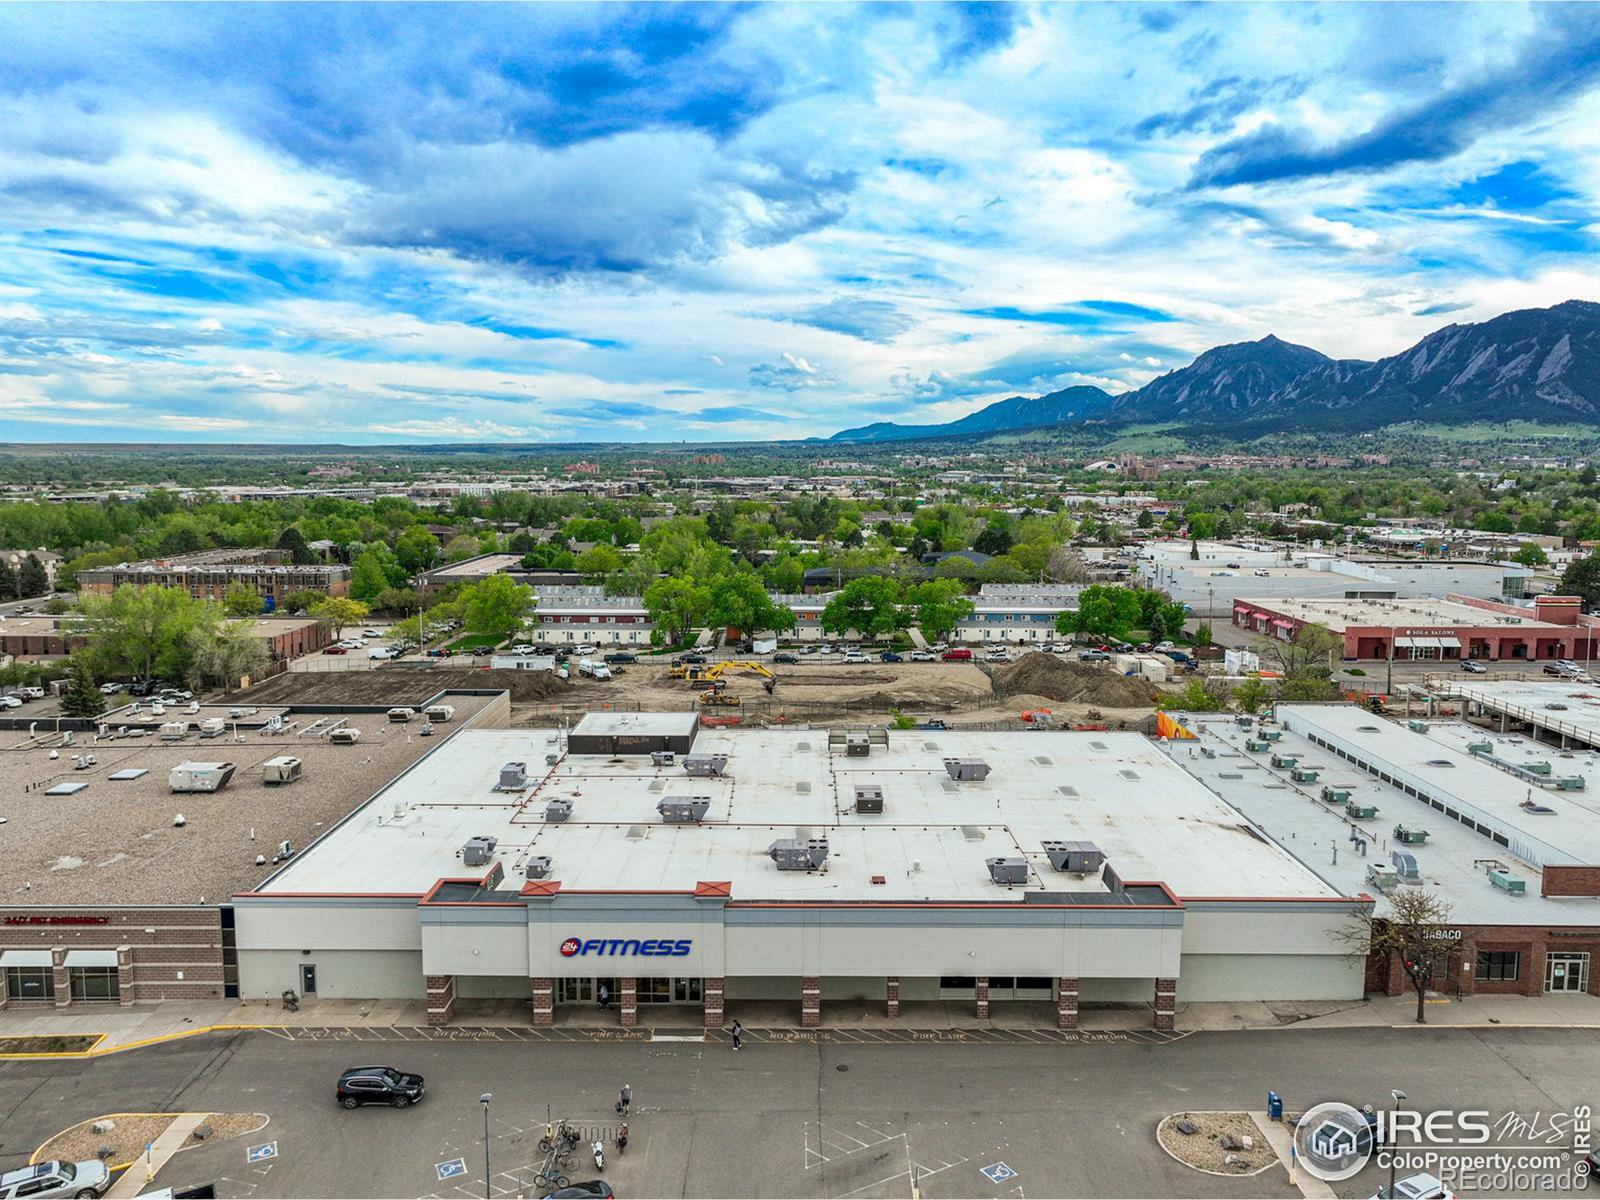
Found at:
[145, 1025]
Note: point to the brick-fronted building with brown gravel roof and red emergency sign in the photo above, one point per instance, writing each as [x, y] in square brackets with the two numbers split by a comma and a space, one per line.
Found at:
[118, 890]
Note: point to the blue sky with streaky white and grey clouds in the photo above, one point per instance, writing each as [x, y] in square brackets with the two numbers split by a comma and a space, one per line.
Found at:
[546, 223]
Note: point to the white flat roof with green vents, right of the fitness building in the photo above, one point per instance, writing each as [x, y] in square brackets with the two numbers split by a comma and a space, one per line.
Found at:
[1452, 860]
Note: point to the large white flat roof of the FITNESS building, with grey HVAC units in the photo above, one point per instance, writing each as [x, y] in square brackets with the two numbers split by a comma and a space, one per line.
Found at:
[1116, 790]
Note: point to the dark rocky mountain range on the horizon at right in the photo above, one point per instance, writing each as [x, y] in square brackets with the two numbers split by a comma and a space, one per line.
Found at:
[1529, 366]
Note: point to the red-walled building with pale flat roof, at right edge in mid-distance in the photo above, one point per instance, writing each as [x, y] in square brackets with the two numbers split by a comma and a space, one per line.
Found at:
[1455, 628]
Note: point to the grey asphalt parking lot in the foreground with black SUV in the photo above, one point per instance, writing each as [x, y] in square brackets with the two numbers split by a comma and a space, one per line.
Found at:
[783, 1121]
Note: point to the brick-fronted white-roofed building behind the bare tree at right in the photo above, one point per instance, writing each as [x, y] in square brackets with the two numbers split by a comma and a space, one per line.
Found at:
[1500, 830]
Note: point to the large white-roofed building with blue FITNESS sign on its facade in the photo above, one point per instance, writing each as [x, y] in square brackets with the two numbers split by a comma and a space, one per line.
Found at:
[802, 866]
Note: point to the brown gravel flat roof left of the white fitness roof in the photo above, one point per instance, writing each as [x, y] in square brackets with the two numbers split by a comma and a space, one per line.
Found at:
[114, 842]
